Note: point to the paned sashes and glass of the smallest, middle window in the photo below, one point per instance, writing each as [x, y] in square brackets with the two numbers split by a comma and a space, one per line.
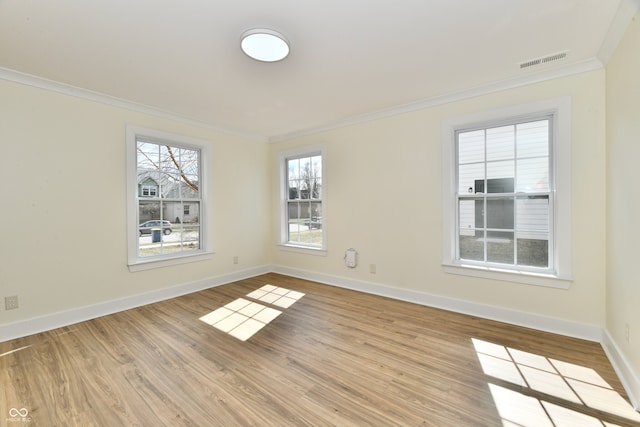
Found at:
[303, 219]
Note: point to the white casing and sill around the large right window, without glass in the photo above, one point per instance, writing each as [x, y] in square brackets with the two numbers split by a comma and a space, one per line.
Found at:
[561, 274]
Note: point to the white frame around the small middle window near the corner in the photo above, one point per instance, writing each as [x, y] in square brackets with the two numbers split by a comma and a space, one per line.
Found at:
[284, 220]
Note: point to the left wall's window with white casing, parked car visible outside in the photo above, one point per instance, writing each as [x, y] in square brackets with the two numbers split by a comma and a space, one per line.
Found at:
[165, 202]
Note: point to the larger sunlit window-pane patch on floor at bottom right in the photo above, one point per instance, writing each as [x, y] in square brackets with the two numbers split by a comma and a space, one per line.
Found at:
[572, 383]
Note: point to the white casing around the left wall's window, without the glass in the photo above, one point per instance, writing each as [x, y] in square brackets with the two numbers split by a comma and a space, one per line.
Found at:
[135, 262]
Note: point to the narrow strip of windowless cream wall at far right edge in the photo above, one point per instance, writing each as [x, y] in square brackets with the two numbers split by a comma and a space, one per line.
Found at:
[623, 197]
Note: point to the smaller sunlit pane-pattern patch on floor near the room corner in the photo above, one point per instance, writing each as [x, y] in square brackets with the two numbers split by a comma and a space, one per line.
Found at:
[242, 318]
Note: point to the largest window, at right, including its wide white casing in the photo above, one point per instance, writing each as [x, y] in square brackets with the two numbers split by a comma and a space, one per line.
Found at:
[507, 207]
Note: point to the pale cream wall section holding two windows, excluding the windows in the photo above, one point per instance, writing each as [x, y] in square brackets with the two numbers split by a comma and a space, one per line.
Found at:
[383, 183]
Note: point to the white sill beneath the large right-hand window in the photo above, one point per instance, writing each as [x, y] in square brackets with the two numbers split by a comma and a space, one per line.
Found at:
[525, 277]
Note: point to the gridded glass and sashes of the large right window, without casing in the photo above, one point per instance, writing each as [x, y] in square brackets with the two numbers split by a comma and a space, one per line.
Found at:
[504, 195]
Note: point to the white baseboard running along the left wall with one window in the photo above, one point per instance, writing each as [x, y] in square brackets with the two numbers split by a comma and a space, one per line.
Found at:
[64, 318]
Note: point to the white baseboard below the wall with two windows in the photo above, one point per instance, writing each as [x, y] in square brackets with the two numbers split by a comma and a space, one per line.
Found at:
[514, 317]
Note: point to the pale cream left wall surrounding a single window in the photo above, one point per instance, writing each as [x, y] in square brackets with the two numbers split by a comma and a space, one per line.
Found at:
[62, 188]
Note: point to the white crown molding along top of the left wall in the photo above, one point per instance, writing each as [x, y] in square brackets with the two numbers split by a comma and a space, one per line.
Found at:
[66, 89]
